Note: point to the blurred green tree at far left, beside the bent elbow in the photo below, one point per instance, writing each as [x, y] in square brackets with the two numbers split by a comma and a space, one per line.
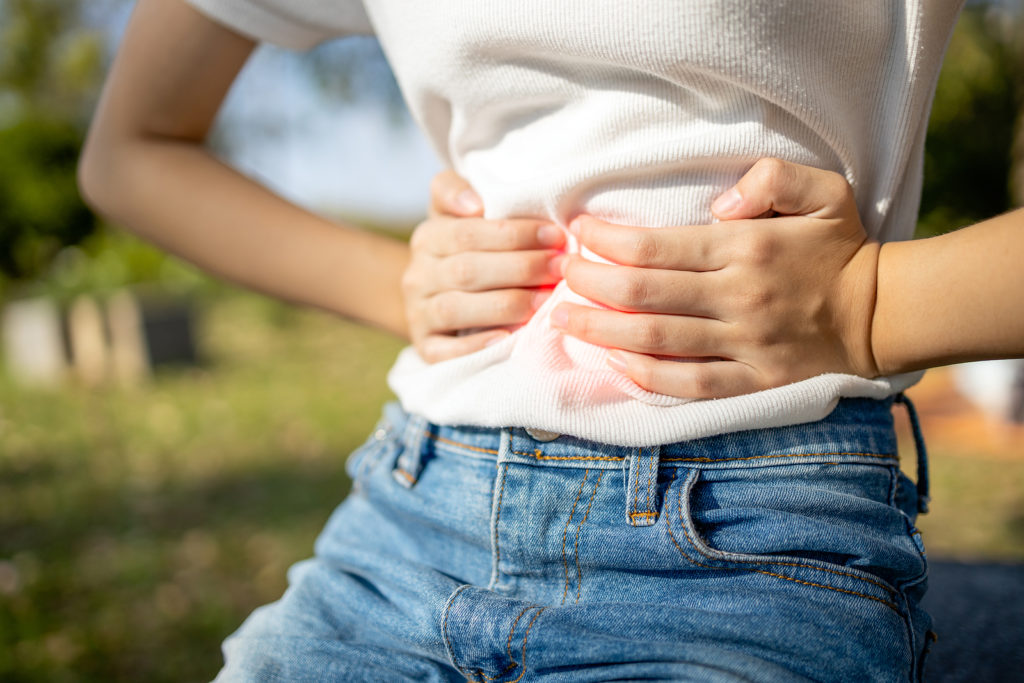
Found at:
[51, 70]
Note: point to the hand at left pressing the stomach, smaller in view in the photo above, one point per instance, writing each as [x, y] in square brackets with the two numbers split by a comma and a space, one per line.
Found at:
[473, 276]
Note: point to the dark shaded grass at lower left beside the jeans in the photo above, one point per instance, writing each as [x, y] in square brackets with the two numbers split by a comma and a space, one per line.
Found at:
[115, 584]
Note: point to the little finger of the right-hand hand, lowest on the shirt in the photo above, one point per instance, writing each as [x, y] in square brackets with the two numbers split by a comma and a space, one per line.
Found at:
[715, 379]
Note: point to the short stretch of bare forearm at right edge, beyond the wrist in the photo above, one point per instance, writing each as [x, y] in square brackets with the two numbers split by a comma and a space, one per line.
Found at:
[954, 298]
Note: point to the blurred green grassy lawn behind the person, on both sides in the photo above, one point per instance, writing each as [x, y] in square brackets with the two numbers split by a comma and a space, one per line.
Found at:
[140, 527]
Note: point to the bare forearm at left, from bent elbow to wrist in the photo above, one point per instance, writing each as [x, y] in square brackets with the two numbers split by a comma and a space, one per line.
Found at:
[177, 195]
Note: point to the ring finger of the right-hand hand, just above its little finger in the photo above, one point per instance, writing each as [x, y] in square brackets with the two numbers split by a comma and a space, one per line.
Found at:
[678, 336]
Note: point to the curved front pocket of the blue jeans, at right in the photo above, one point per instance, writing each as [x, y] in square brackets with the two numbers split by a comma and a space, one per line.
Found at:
[827, 525]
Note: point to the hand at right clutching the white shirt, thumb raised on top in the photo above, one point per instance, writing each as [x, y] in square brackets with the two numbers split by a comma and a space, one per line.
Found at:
[760, 303]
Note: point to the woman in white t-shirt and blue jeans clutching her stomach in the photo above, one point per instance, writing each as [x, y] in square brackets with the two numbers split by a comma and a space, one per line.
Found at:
[568, 522]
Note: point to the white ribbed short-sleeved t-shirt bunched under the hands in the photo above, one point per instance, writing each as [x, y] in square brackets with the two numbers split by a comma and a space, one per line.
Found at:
[639, 113]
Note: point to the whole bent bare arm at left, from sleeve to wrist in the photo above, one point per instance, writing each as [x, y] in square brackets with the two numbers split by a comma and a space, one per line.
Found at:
[145, 167]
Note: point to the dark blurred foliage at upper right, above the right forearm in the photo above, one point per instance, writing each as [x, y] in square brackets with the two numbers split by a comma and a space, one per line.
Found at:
[971, 134]
